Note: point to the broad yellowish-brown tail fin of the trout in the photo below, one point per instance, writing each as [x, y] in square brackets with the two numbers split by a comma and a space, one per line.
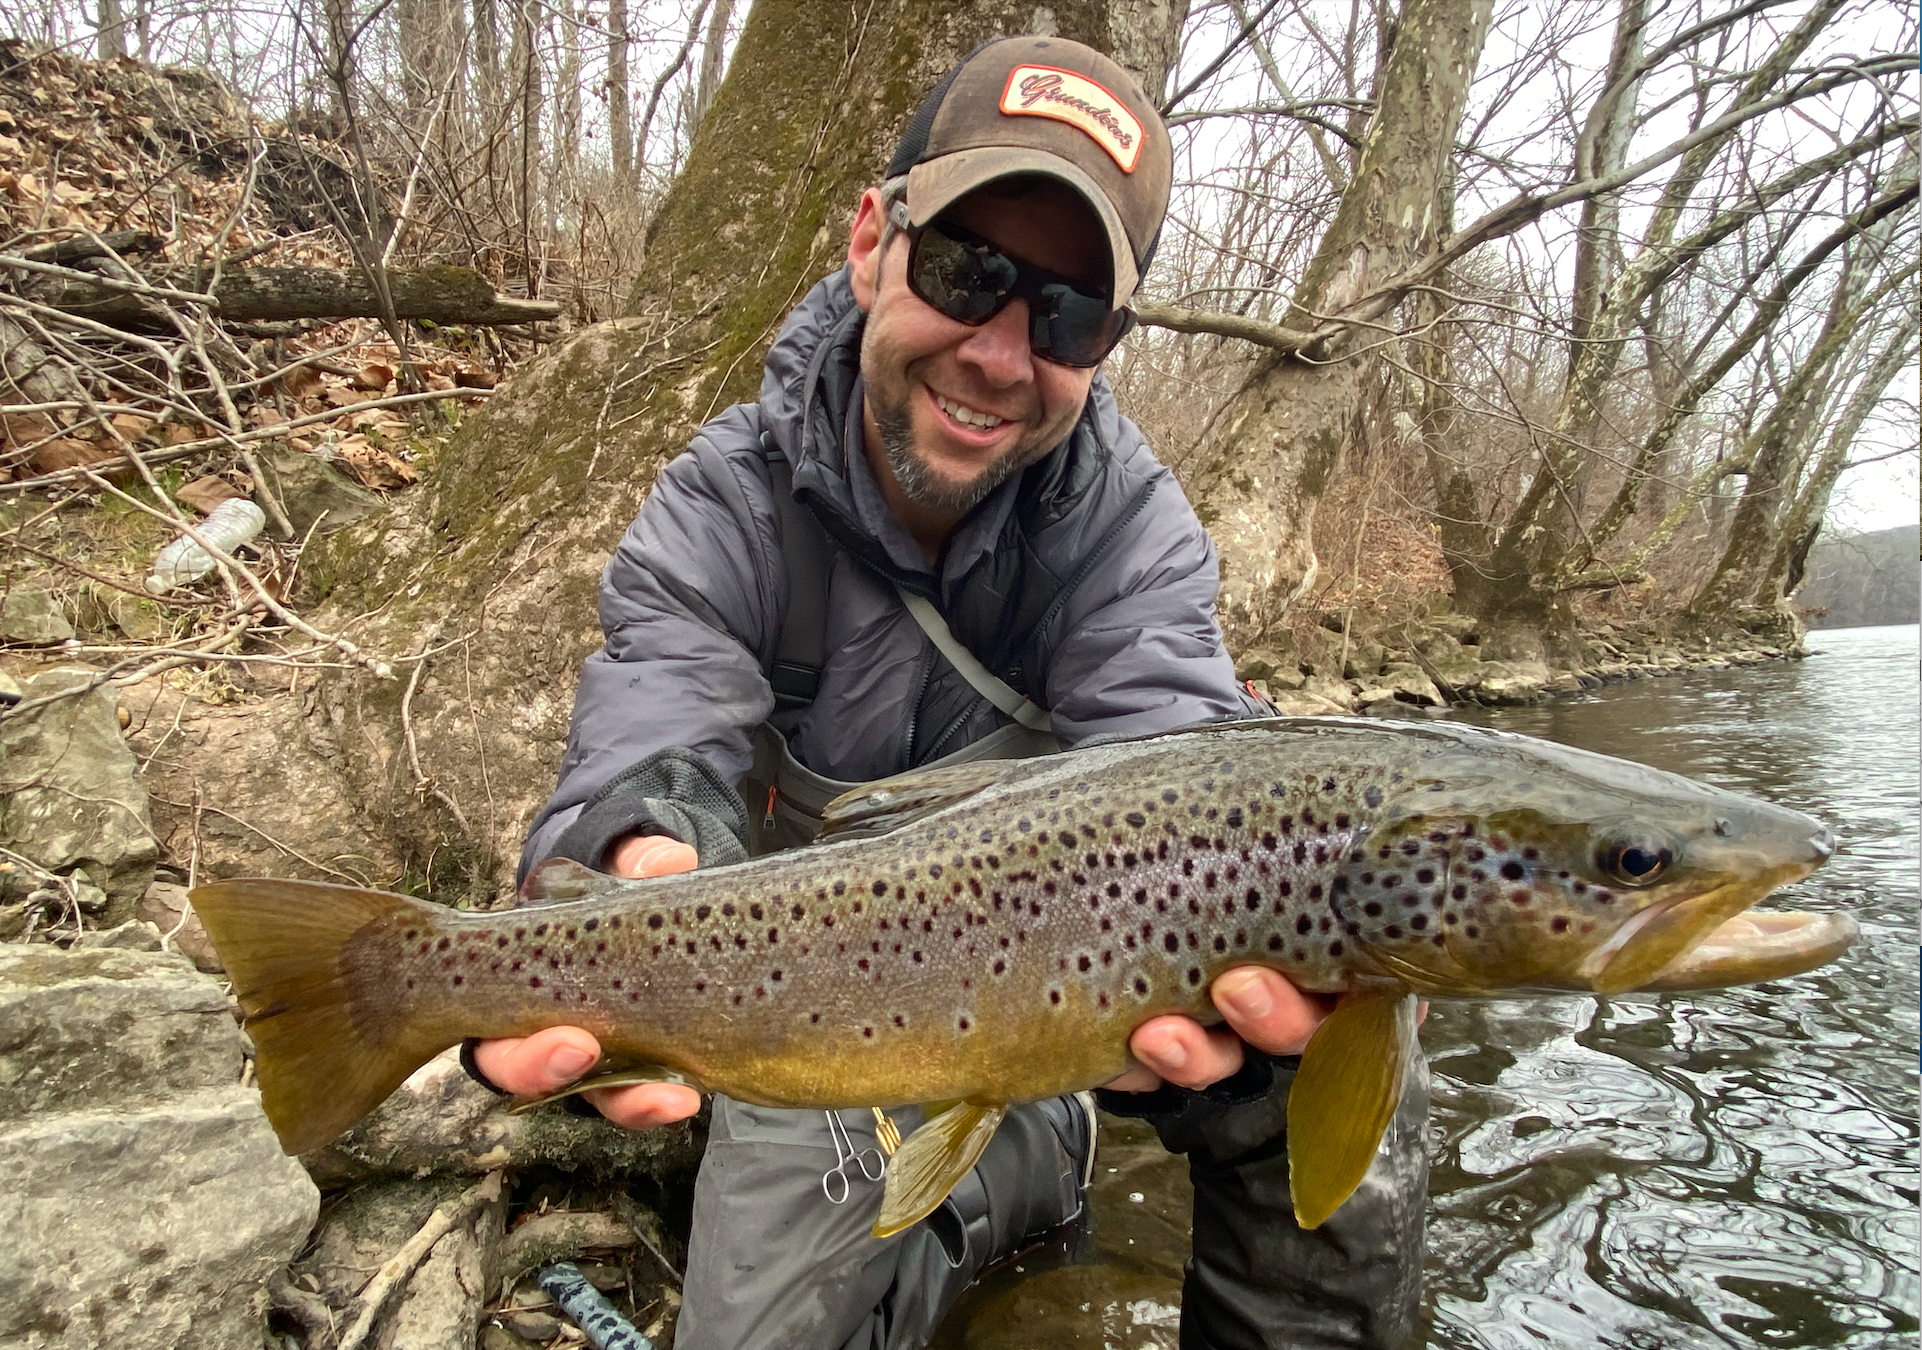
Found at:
[330, 1047]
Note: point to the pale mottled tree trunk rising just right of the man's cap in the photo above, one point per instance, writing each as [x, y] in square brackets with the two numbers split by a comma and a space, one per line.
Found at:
[1281, 439]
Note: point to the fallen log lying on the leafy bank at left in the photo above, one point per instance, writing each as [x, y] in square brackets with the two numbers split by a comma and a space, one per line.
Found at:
[439, 293]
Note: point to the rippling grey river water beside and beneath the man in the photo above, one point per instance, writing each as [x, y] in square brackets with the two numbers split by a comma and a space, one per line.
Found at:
[1733, 1168]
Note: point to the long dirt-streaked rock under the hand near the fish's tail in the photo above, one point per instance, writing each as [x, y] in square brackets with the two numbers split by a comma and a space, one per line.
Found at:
[443, 1122]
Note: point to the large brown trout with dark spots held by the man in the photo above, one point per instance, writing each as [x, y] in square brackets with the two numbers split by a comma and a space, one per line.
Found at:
[991, 934]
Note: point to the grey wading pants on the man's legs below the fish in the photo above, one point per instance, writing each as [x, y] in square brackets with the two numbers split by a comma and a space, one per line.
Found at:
[774, 1264]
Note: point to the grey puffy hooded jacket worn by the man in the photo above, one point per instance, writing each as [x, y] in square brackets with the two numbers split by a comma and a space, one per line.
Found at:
[1085, 582]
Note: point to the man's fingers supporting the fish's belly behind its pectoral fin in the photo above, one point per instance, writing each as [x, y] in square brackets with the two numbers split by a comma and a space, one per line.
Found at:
[1262, 1009]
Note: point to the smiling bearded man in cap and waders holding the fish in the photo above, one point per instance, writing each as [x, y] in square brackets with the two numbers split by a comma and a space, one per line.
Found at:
[929, 530]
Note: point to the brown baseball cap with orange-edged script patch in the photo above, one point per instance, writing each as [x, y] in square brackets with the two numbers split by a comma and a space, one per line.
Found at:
[1050, 107]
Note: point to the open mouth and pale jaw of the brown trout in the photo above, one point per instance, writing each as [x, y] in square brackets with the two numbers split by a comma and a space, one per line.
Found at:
[1665, 937]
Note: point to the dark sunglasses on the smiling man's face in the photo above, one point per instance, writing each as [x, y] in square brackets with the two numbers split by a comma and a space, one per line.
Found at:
[972, 282]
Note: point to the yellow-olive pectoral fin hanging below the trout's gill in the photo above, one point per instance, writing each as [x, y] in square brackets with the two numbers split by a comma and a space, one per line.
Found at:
[1344, 1095]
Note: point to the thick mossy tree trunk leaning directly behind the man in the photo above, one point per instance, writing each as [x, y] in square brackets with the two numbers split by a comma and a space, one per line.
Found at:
[503, 547]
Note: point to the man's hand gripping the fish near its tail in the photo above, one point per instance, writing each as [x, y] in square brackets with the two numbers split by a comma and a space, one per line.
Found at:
[553, 1059]
